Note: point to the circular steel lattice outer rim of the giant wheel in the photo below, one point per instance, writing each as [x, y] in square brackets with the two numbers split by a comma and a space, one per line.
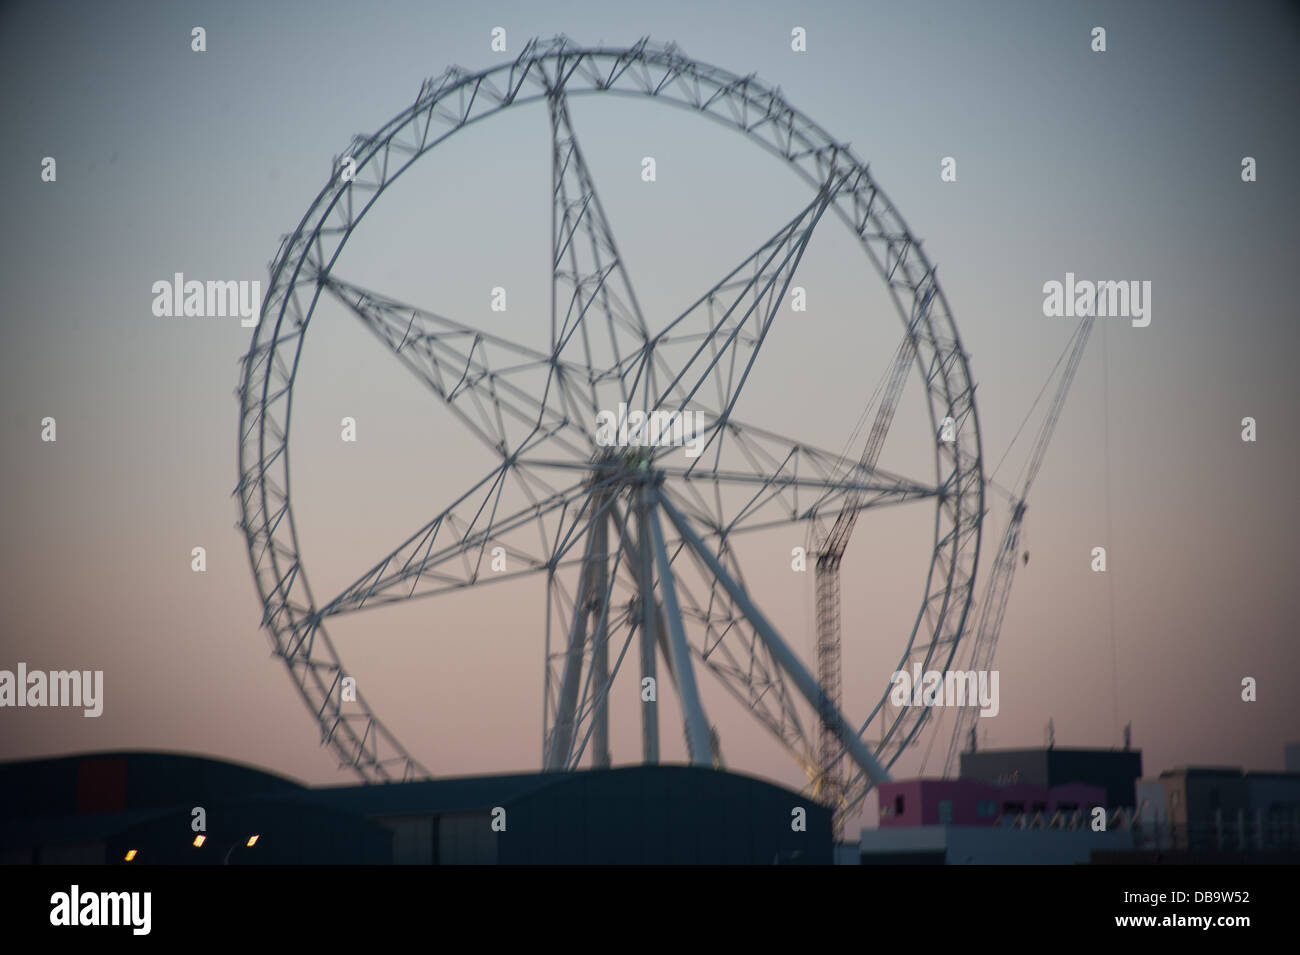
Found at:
[279, 570]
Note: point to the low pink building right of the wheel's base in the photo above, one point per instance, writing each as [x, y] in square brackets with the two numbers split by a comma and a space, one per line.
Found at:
[969, 802]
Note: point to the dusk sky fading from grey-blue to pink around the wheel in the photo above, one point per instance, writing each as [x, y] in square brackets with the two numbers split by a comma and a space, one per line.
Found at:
[1123, 166]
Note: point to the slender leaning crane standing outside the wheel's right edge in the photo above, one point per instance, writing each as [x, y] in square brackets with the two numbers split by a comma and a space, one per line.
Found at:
[994, 606]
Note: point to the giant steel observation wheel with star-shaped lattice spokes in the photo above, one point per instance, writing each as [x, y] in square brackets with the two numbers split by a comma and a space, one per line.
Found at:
[629, 542]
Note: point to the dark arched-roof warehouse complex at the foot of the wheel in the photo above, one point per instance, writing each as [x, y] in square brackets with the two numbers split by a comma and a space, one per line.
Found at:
[98, 809]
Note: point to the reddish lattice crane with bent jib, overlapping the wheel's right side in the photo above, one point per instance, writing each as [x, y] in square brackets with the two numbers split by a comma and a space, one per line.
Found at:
[829, 788]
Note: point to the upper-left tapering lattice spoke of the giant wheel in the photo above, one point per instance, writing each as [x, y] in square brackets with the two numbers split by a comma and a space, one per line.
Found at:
[488, 381]
